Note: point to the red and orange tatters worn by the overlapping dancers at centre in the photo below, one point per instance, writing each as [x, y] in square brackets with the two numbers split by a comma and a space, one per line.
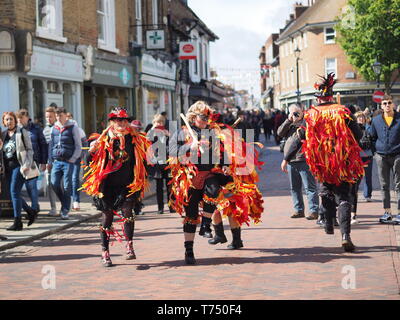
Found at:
[240, 198]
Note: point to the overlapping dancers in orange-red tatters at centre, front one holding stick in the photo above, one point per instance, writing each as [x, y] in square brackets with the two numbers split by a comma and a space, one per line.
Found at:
[201, 174]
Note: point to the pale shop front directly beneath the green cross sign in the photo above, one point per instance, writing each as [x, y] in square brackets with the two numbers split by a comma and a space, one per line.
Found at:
[158, 89]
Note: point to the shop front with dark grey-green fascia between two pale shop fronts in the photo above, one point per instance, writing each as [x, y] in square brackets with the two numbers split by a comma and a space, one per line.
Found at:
[111, 85]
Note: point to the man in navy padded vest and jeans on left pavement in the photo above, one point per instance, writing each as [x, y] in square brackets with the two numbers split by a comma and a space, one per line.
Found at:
[65, 148]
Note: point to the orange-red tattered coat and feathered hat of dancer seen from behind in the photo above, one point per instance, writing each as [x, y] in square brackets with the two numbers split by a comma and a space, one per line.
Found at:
[331, 151]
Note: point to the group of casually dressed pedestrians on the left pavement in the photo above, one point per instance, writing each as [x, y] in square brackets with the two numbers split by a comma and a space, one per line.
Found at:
[28, 149]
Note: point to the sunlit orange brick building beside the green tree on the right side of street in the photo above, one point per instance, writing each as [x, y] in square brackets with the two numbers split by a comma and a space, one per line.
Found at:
[311, 30]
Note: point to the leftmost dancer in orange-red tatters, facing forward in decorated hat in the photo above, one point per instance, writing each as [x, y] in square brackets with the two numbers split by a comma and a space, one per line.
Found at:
[116, 178]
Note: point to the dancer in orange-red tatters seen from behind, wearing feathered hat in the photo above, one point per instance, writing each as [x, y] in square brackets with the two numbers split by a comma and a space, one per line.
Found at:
[333, 154]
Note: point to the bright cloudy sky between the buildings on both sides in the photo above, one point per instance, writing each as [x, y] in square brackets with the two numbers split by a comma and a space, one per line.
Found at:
[242, 26]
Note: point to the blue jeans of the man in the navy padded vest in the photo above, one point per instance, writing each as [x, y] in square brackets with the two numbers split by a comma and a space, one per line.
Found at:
[62, 170]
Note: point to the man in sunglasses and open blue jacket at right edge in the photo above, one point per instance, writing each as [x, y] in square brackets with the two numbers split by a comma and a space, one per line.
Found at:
[385, 133]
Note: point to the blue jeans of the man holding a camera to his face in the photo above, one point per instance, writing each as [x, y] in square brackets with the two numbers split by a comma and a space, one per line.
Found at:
[299, 175]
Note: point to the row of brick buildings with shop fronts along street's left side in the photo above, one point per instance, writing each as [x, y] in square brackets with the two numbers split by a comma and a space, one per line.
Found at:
[90, 55]
